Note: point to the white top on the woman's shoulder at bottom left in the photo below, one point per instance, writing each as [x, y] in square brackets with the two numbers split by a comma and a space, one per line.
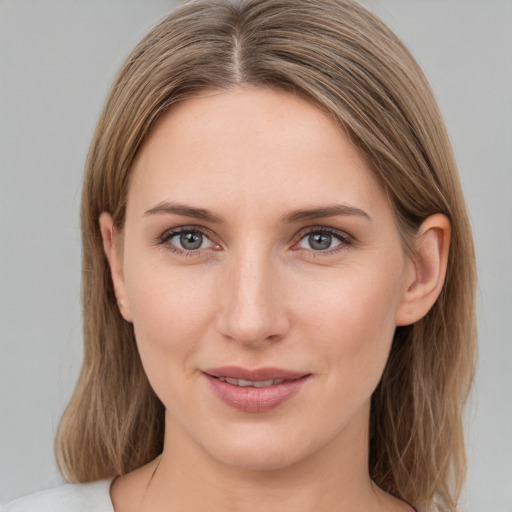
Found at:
[89, 497]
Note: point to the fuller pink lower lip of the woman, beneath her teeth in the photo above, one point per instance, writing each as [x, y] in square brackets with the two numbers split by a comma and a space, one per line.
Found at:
[251, 399]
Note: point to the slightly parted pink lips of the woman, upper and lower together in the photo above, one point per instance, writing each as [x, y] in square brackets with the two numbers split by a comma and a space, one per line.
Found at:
[255, 399]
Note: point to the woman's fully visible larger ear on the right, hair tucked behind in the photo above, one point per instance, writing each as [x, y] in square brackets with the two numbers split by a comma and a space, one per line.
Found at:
[425, 277]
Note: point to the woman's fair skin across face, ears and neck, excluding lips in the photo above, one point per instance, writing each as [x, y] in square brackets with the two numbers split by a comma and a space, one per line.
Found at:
[257, 294]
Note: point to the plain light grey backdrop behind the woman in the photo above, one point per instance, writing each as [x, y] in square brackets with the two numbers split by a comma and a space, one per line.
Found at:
[57, 60]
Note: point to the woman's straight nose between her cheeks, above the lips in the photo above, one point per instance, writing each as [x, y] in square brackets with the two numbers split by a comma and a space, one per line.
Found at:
[253, 311]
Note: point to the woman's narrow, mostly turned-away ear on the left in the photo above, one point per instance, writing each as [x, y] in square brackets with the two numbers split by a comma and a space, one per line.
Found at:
[113, 251]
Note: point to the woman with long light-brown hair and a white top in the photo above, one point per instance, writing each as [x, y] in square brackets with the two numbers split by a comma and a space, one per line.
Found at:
[278, 274]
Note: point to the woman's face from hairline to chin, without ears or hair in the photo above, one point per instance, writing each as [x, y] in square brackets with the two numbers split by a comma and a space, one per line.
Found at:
[263, 272]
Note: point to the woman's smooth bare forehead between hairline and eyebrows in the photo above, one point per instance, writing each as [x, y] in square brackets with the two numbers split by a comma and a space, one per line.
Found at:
[251, 145]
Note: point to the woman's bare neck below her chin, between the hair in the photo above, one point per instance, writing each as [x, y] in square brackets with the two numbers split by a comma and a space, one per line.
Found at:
[333, 478]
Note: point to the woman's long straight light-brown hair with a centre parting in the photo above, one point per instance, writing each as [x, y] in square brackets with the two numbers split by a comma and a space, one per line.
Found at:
[342, 58]
